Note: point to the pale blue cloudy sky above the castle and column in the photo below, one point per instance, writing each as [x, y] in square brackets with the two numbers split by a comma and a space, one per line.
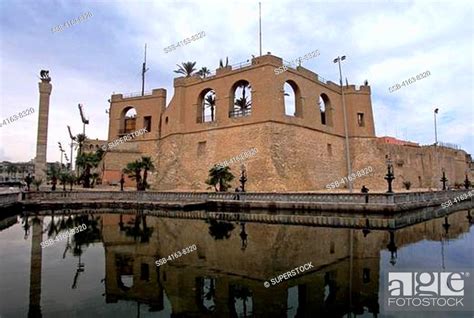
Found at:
[385, 42]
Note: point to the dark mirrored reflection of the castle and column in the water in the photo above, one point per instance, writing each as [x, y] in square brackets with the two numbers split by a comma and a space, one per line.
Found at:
[224, 276]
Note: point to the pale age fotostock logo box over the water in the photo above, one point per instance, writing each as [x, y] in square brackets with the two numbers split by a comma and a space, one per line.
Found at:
[434, 290]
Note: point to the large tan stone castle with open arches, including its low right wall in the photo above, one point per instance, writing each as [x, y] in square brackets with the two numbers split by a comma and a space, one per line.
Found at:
[294, 119]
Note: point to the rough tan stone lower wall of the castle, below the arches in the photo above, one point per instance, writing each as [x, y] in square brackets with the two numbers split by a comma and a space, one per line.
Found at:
[289, 158]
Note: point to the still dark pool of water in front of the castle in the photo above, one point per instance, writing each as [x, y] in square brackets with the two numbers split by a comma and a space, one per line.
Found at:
[110, 268]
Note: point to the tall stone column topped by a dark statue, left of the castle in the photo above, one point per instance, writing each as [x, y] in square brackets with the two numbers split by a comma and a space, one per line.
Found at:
[42, 139]
